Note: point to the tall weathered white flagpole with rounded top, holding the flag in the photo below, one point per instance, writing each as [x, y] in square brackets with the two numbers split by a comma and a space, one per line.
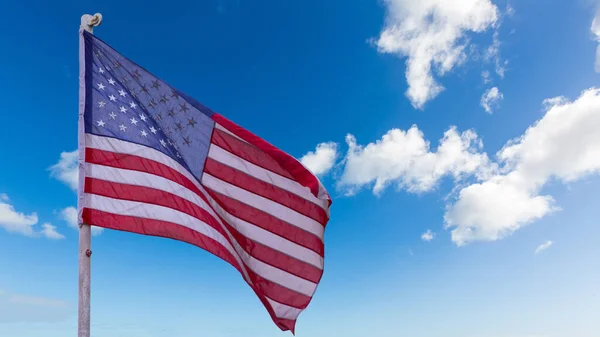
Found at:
[88, 22]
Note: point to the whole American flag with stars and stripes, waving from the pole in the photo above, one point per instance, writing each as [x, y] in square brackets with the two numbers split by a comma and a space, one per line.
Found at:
[155, 161]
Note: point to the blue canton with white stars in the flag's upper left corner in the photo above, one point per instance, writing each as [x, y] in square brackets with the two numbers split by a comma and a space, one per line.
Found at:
[126, 102]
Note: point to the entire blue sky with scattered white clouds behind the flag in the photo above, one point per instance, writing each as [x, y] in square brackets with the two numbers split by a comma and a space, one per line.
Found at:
[488, 231]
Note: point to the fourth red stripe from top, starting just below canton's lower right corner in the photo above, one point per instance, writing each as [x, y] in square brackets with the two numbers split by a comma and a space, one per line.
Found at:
[268, 222]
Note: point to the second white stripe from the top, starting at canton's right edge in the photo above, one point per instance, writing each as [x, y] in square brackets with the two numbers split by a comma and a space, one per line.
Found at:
[227, 158]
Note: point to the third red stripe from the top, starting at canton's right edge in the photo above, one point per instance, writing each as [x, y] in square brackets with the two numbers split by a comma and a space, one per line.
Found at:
[264, 189]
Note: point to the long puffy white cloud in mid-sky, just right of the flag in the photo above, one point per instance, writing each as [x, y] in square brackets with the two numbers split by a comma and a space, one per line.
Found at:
[404, 158]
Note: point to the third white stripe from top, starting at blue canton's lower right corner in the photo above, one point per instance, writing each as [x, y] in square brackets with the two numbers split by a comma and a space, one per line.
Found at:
[273, 208]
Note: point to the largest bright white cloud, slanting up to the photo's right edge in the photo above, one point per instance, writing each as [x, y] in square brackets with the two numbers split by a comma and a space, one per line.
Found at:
[564, 145]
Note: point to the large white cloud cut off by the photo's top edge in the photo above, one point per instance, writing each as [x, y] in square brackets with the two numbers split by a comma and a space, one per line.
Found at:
[431, 34]
